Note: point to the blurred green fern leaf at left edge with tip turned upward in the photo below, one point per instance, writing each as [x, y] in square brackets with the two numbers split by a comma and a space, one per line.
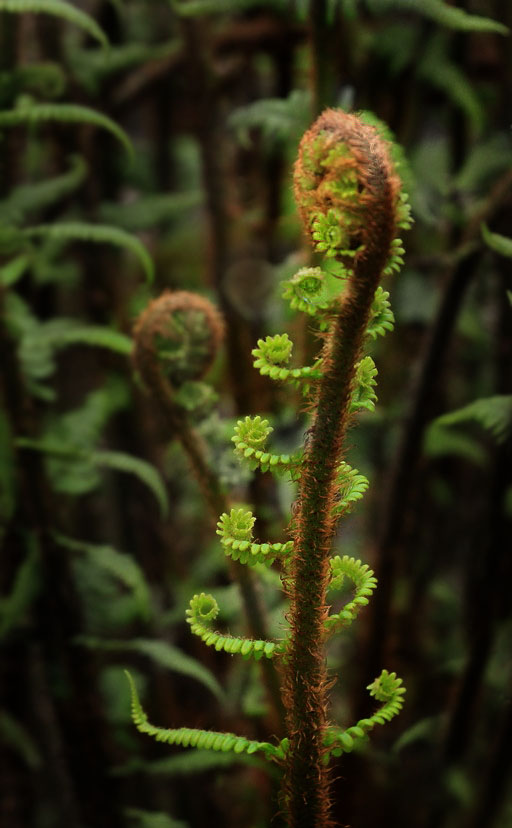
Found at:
[29, 198]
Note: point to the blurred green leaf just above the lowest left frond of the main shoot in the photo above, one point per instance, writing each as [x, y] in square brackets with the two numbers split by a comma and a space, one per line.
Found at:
[163, 654]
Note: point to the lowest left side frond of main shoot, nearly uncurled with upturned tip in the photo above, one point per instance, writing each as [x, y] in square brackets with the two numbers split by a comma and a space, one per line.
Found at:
[191, 737]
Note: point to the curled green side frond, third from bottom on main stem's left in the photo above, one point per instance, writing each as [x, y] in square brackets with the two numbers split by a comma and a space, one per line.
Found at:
[235, 531]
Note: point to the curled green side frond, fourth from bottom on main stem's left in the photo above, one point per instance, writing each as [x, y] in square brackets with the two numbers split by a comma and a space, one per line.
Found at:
[250, 438]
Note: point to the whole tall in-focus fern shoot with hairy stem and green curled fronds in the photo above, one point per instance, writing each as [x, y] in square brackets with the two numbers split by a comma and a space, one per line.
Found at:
[349, 199]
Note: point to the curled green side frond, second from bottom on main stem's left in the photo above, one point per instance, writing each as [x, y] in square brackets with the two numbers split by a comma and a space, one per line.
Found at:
[203, 609]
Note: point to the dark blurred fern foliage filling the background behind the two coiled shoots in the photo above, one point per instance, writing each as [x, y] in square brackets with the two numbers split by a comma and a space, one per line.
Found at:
[147, 145]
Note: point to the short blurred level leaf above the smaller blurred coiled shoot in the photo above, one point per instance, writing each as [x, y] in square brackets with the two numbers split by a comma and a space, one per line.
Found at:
[149, 211]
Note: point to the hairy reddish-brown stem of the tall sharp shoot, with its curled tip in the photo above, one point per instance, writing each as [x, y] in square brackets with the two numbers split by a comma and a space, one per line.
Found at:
[306, 681]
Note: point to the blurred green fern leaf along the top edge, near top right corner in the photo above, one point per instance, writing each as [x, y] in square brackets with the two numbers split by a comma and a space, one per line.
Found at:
[440, 12]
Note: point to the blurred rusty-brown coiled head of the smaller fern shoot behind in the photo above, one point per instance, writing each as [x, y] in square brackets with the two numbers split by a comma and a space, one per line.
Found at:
[177, 335]
